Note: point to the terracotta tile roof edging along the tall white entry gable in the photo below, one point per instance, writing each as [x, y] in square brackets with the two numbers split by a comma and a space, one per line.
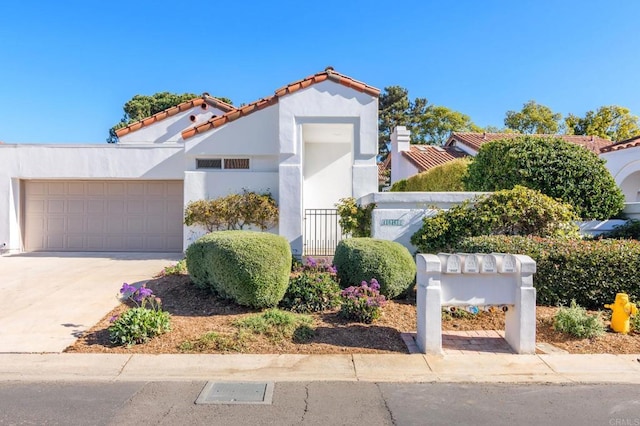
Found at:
[327, 74]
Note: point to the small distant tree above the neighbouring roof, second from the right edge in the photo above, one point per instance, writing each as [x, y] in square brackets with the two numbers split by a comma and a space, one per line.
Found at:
[533, 118]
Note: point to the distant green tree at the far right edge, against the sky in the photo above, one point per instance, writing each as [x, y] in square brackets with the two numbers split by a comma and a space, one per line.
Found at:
[611, 122]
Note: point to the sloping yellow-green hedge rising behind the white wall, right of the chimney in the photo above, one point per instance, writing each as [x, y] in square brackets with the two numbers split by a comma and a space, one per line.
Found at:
[447, 177]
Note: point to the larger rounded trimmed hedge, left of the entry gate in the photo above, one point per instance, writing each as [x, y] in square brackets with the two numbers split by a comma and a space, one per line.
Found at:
[252, 268]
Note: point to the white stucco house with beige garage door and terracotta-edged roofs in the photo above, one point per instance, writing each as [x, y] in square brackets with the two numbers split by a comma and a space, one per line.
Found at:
[311, 143]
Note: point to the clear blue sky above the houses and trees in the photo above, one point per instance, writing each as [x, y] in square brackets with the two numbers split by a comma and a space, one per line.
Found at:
[67, 68]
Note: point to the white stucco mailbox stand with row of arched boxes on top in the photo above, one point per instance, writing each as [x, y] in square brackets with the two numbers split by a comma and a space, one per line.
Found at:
[476, 280]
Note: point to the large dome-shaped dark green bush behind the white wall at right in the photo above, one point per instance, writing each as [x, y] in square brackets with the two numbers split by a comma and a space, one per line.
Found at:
[552, 166]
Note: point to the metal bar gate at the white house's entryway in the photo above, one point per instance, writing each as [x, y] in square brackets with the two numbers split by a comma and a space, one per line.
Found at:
[322, 232]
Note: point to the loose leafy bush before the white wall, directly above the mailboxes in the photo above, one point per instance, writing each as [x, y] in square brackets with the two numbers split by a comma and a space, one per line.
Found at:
[518, 211]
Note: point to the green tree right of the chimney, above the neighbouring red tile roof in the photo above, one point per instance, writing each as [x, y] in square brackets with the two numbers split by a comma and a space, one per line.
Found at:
[437, 122]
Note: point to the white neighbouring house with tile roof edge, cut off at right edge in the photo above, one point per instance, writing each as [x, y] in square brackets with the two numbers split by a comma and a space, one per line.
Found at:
[623, 161]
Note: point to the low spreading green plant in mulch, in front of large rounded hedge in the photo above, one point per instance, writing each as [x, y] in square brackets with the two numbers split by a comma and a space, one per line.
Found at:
[277, 325]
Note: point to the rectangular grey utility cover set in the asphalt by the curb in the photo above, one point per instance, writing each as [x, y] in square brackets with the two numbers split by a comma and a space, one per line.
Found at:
[236, 393]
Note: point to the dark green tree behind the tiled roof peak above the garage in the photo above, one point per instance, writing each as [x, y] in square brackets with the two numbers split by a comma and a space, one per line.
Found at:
[143, 106]
